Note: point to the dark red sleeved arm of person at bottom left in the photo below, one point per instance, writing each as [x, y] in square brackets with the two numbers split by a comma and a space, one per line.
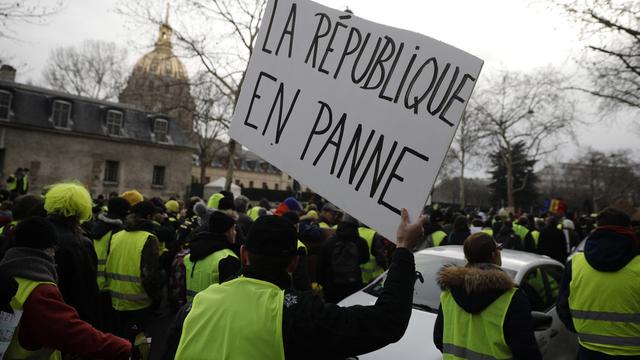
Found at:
[47, 322]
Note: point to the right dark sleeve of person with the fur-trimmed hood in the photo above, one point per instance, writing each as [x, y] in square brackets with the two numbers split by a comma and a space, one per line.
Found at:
[518, 329]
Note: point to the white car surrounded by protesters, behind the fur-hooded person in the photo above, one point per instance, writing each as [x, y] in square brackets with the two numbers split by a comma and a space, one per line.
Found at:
[554, 340]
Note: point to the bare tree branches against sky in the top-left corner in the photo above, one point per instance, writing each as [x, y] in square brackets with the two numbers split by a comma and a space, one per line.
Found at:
[29, 11]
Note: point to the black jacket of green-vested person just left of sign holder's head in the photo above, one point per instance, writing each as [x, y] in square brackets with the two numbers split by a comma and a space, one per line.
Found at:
[204, 244]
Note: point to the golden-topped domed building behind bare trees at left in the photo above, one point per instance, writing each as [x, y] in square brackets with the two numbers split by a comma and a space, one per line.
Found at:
[160, 83]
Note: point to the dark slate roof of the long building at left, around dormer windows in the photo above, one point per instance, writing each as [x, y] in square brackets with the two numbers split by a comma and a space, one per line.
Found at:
[32, 106]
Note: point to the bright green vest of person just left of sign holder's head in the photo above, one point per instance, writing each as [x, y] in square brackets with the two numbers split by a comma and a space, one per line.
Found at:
[204, 272]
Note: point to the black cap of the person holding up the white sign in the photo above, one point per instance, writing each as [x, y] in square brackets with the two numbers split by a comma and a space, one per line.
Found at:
[272, 236]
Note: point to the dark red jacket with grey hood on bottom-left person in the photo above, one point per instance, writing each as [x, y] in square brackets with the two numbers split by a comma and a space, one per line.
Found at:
[47, 321]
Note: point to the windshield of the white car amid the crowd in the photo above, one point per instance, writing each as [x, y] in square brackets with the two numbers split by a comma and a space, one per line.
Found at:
[426, 295]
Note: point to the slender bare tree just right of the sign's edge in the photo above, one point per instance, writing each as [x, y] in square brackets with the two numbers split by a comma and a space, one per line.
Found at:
[465, 146]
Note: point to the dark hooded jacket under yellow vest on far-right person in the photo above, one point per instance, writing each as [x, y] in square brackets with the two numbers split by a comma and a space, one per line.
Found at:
[607, 249]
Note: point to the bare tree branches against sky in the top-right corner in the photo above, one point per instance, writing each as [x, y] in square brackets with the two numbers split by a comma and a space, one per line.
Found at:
[612, 58]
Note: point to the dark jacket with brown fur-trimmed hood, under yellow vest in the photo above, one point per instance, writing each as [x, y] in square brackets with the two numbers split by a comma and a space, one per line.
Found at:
[476, 287]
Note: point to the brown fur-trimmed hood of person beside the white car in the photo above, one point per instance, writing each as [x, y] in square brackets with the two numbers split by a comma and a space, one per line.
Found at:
[474, 287]
